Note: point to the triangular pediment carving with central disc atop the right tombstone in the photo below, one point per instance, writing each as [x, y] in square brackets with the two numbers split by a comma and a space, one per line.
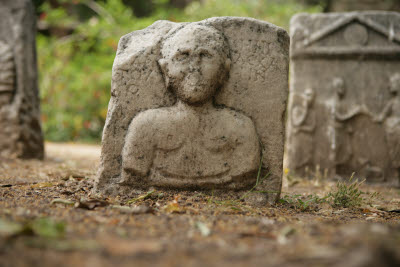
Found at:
[352, 35]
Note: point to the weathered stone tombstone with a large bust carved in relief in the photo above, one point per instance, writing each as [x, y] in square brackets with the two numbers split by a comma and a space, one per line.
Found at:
[197, 106]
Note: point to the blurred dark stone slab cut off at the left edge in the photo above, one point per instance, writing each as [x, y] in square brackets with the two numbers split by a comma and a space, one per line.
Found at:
[20, 131]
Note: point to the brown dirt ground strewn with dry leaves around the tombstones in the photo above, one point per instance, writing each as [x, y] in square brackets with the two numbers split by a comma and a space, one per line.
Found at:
[49, 217]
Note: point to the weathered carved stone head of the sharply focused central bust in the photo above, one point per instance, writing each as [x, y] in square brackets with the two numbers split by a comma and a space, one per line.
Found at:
[195, 62]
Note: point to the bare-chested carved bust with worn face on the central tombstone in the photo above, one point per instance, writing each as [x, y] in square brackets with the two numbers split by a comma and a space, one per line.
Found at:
[193, 142]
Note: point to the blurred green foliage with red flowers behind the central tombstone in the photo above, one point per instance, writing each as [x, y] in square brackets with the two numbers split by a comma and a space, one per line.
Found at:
[76, 56]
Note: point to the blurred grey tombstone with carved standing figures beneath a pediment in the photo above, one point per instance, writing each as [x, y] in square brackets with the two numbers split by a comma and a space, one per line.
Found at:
[344, 104]
